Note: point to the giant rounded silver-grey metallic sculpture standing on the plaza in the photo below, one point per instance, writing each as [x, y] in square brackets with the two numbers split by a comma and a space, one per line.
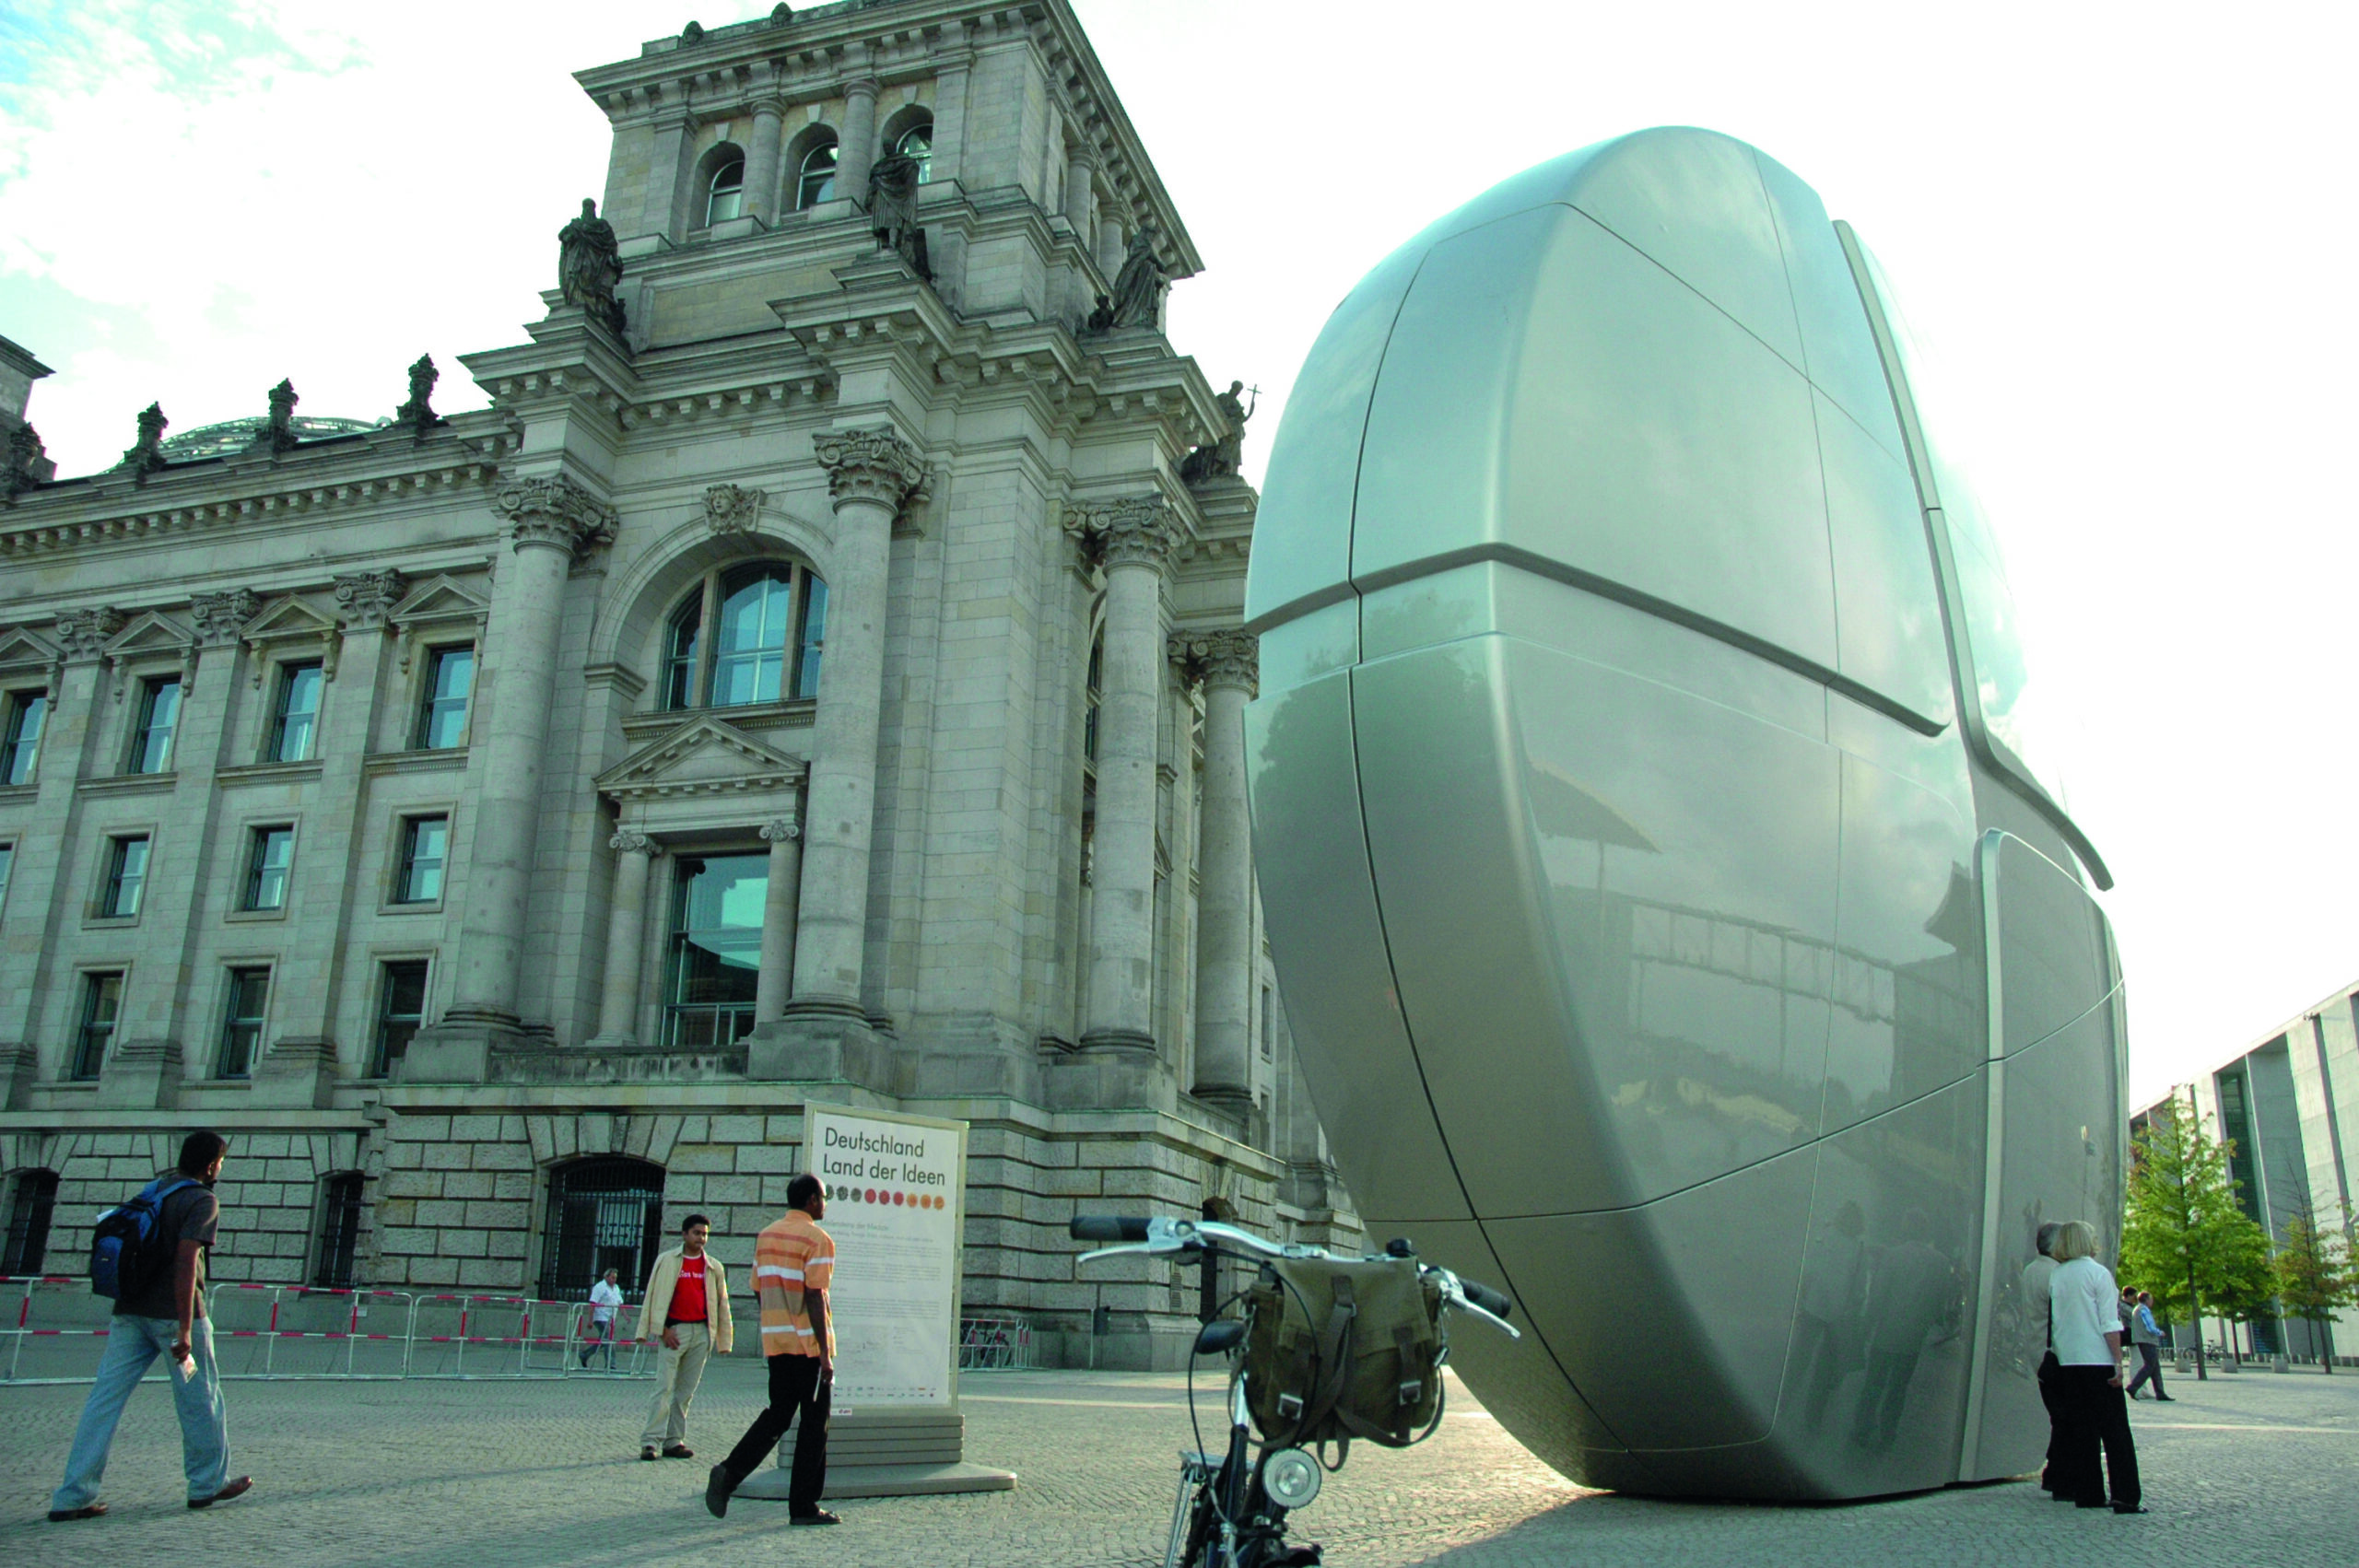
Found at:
[1669, 916]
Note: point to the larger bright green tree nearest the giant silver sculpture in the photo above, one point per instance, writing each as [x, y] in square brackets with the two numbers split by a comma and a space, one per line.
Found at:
[2183, 1232]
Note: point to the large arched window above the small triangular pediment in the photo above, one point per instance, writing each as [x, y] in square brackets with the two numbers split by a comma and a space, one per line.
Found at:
[747, 635]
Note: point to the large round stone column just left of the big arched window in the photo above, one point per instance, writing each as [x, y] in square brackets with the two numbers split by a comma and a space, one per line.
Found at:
[548, 525]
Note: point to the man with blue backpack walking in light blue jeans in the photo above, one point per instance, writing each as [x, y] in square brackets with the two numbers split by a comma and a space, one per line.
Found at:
[150, 1256]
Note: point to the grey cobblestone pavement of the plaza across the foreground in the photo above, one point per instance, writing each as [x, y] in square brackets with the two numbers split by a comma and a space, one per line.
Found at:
[2242, 1473]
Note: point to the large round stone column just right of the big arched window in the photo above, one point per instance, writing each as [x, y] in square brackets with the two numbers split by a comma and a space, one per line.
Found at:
[869, 475]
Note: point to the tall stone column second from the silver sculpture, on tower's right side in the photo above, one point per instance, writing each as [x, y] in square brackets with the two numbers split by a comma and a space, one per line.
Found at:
[1136, 541]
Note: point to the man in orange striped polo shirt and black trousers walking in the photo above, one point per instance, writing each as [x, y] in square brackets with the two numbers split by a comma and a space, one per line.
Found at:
[791, 1267]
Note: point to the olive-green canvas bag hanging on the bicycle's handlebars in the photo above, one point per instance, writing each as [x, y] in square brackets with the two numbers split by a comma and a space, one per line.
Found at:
[1343, 1350]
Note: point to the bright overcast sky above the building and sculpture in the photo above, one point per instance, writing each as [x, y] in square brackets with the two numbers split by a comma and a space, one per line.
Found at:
[2124, 230]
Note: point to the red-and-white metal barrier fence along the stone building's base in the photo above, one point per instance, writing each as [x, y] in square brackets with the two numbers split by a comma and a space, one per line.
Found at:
[301, 1331]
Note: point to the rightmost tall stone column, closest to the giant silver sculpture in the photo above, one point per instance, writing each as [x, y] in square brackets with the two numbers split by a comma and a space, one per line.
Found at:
[1228, 666]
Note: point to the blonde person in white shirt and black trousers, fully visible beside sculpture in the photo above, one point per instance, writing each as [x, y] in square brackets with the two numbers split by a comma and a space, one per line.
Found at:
[2084, 1310]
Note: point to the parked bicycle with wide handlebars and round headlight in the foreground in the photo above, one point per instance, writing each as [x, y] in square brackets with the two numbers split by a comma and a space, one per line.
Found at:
[1233, 1508]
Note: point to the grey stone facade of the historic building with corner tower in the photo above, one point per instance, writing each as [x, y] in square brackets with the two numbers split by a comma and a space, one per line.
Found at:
[978, 819]
